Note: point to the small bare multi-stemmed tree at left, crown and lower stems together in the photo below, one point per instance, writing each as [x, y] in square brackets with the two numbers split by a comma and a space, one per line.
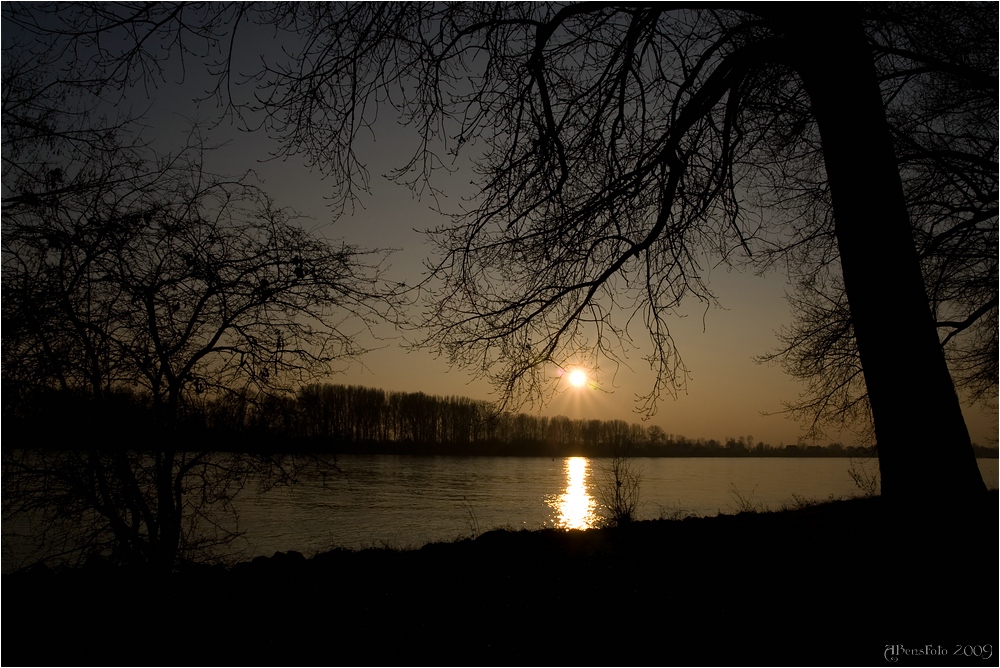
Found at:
[174, 285]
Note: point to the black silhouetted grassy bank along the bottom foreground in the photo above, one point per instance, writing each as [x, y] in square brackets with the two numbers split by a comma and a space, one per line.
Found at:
[845, 583]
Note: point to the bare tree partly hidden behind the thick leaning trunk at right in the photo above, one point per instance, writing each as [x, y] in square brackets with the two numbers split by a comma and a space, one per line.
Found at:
[944, 129]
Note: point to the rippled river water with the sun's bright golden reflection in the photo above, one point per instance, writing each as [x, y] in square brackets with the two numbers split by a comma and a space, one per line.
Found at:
[408, 501]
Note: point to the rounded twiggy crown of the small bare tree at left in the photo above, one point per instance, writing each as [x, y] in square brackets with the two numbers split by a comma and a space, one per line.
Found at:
[183, 284]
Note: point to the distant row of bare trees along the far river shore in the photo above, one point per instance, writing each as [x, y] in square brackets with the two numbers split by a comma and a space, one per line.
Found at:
[353, 419]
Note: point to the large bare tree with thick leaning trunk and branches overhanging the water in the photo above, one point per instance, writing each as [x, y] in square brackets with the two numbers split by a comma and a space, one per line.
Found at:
[631, 129]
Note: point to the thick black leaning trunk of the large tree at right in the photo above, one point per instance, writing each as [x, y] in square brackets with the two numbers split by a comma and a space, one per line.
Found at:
[925, 454]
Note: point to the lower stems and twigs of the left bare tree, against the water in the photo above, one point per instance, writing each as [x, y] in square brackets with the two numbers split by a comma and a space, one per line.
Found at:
[69, 504]
